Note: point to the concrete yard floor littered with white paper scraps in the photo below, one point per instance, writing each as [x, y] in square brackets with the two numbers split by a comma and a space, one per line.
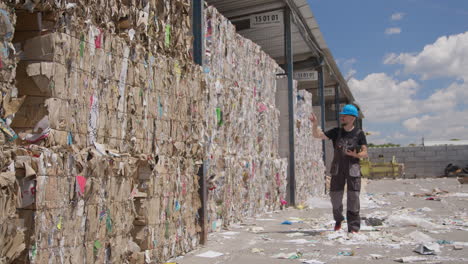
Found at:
[313, 237]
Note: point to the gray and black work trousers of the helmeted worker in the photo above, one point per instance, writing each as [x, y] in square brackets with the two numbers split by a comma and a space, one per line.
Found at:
[338, 182]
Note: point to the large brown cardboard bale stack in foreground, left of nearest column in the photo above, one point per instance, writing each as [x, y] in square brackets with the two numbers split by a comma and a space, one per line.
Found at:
[114, 110]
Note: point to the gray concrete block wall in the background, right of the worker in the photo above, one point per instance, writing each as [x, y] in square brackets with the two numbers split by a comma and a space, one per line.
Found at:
[423, 161]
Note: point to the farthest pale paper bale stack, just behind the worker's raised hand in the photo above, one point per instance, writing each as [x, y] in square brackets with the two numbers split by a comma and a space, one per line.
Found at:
[310, 169]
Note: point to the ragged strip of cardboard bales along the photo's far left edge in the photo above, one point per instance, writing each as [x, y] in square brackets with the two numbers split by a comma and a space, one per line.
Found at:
[11, 235]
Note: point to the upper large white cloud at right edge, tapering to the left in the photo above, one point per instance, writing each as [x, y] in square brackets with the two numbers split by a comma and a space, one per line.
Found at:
[447, 57]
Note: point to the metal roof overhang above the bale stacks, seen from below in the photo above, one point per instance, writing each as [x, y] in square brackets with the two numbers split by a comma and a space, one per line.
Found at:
[308, 41]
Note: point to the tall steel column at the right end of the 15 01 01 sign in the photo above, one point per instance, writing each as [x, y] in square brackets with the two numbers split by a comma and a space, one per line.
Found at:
[288, 54]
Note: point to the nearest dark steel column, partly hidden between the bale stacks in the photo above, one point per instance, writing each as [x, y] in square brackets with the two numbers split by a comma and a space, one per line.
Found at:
[198, 50]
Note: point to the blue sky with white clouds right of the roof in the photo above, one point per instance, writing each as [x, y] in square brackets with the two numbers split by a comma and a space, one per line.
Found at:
[407, 61]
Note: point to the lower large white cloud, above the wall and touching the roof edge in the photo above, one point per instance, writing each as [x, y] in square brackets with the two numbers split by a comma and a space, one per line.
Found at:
[387, 100]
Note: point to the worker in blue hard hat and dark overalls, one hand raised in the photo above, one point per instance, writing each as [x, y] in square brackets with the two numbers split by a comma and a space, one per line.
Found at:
[350, 145]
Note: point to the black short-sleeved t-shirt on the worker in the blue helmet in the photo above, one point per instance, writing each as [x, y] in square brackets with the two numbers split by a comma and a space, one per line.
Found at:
[343, 140]
